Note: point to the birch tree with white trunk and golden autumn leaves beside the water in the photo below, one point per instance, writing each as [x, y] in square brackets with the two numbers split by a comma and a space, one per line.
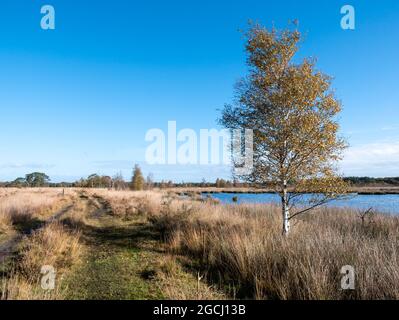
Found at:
[293, 114]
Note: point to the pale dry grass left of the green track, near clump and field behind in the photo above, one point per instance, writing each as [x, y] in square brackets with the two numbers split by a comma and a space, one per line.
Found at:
[24, 210]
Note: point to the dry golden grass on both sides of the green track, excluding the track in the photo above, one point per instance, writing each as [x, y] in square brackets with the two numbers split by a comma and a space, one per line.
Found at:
[237, 249]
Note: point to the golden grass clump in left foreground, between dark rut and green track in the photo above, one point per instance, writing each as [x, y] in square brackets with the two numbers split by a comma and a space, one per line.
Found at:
[52, 245]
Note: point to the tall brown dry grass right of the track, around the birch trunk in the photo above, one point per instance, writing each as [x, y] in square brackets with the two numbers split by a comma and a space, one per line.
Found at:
[241, 247]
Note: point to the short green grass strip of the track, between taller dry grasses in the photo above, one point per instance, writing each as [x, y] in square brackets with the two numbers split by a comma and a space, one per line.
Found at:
[119, 259]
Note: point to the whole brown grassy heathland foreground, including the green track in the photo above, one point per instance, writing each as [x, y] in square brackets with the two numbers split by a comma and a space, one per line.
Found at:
[191, 248]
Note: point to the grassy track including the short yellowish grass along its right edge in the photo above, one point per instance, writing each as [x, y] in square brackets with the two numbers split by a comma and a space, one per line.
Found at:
[125, 259]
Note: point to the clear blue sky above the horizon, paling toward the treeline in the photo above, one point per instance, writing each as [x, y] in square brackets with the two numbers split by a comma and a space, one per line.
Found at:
[79, 99]
